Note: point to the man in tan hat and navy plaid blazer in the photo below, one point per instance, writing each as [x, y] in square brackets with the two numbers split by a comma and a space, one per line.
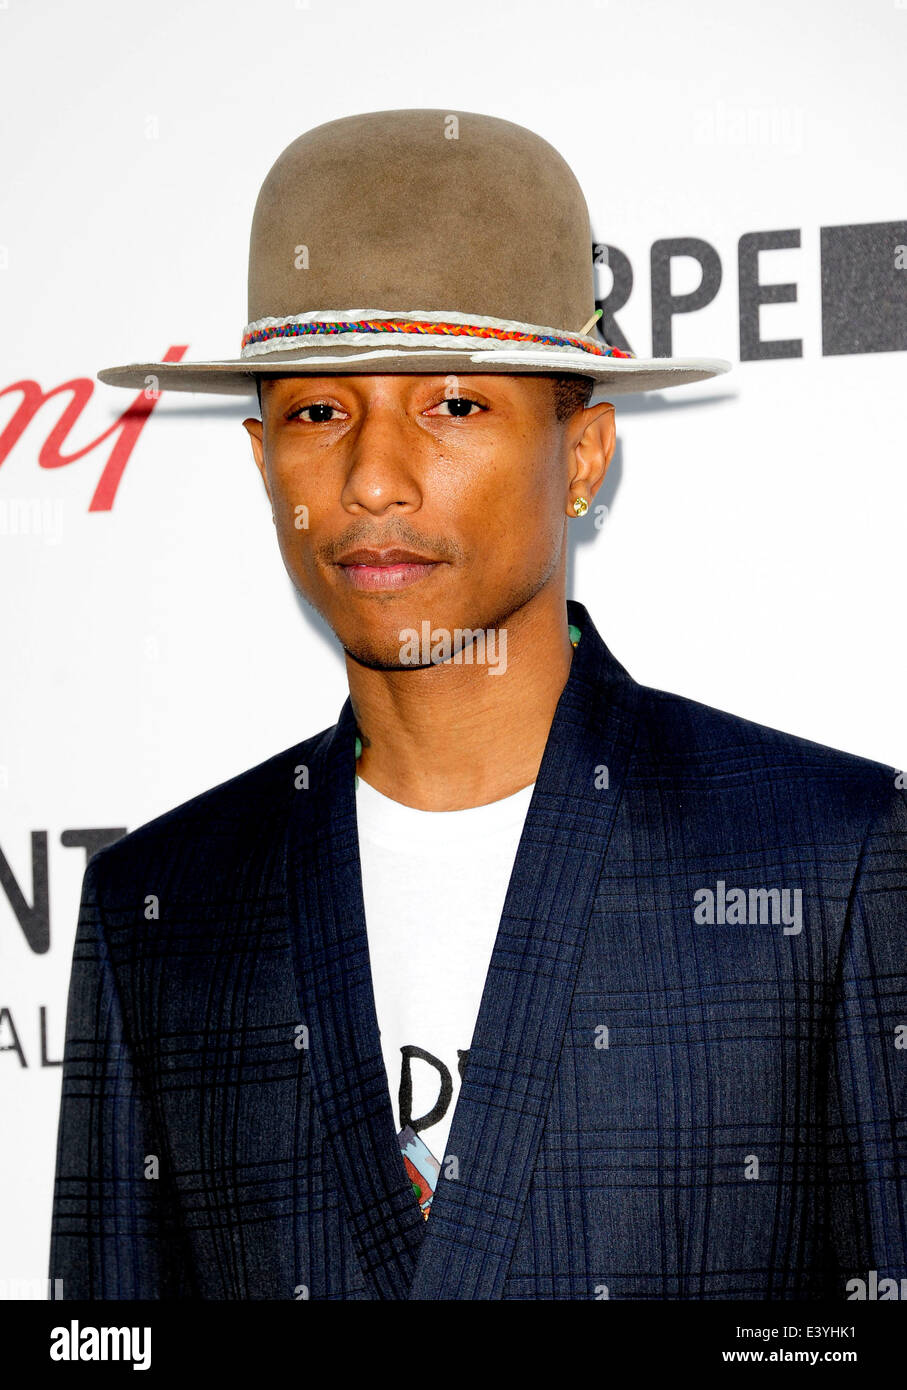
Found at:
[523, 981]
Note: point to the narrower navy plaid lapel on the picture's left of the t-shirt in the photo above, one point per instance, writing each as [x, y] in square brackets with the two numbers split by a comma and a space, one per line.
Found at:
[338, 1007]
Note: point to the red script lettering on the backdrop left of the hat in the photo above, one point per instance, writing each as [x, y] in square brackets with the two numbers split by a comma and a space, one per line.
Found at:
[123, 433]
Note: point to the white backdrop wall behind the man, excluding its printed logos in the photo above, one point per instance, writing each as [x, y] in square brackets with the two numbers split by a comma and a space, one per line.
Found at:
[754, 553]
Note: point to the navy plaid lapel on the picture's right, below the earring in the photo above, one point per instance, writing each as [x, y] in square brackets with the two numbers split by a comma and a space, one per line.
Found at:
[520, 1031]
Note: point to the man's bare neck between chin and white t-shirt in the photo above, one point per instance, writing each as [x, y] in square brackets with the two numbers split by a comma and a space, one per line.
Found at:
[458, 735]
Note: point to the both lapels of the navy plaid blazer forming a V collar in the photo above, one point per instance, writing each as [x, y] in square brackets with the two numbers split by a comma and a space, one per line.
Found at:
[465, 1249]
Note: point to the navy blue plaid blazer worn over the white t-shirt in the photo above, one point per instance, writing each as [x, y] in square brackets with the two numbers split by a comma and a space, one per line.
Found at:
[654, 1107]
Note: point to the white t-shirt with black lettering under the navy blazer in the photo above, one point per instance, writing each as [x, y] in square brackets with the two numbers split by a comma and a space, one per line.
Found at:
[434, 885]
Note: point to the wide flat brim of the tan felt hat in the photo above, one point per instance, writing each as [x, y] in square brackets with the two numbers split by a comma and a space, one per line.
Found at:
[237, 377]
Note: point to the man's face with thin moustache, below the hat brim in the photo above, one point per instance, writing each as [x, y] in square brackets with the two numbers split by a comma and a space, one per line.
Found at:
[401, 498]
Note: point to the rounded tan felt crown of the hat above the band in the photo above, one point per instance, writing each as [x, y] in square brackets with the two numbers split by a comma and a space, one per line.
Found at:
[423, 211]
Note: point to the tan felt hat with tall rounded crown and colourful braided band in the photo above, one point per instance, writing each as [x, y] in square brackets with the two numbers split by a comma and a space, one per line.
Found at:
[476, 222]
